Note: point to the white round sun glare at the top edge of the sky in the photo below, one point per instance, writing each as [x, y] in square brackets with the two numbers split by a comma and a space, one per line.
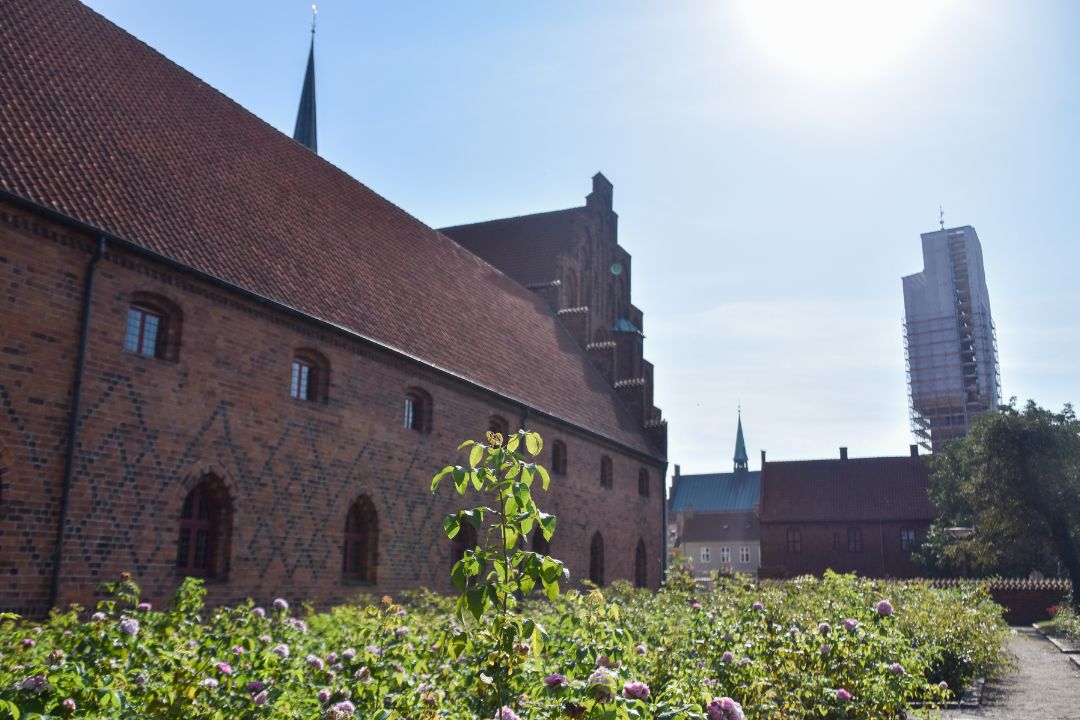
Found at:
[839, 42]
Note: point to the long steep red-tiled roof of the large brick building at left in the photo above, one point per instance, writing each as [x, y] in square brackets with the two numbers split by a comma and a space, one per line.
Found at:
[98, 127]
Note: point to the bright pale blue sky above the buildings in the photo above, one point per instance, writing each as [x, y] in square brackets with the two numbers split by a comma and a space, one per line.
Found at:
[774, 166]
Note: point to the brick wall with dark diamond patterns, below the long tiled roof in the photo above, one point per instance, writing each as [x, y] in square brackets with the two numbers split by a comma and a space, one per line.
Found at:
[151, 430]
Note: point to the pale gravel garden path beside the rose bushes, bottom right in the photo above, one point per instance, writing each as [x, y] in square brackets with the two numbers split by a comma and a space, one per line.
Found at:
[1046, 686]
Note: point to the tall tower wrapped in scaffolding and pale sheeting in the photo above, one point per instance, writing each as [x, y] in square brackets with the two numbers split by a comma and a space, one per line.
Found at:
[950, 338]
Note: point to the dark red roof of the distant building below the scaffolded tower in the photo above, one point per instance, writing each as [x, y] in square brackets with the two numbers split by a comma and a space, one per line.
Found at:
[855, 490]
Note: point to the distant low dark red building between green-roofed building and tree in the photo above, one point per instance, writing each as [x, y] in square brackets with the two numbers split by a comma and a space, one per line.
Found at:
[863, 515]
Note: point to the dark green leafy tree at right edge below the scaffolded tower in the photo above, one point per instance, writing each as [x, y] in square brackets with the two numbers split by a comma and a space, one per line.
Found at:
[1016, 479]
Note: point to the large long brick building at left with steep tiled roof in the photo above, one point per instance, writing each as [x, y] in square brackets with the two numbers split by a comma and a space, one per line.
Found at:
[223, 357]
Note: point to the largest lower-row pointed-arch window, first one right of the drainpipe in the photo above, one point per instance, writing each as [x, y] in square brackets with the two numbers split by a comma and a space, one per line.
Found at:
[206, 524]
